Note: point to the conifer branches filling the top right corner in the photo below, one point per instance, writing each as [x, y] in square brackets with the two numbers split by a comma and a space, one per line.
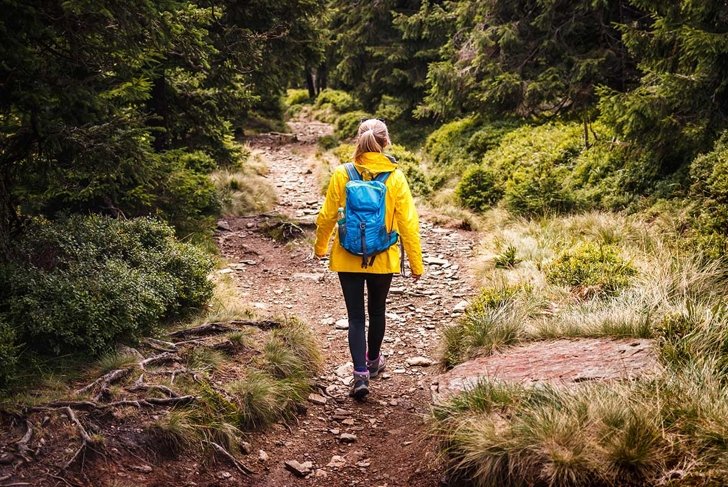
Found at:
[678, 107]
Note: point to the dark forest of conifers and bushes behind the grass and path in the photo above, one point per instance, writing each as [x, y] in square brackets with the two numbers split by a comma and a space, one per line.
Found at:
[114, 116]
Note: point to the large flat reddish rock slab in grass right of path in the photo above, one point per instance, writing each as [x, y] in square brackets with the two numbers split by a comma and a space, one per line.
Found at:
[556, 362]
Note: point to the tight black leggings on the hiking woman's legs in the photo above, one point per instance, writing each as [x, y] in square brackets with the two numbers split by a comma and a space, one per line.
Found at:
[352, 284]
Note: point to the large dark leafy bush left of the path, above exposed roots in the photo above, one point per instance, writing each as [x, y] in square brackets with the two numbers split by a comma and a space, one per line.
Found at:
[82, 283]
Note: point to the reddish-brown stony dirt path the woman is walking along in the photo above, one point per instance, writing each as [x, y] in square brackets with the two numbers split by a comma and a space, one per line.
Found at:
[388, 447]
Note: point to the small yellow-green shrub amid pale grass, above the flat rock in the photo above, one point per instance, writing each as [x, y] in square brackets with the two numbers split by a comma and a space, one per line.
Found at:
[598, 269]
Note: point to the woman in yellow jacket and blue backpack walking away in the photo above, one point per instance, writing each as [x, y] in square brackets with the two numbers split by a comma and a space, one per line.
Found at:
[362, 255]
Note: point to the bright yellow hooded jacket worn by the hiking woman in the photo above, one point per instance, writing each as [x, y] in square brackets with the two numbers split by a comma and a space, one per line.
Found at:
[400, 209]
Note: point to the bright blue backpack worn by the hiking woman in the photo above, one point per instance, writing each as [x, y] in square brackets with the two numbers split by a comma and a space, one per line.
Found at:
[363, 230]
